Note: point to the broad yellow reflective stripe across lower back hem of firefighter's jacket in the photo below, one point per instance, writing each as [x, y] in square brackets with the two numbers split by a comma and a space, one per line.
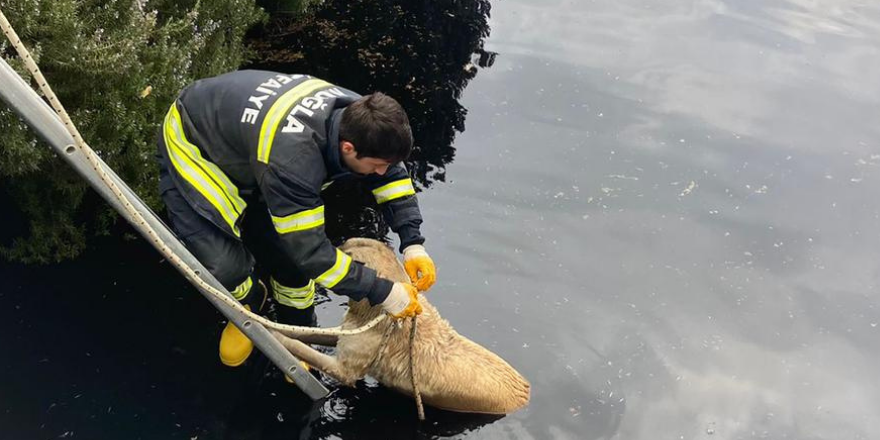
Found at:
[203, 175]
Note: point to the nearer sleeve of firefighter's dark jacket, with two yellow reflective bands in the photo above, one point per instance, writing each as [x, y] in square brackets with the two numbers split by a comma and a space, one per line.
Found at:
[297, 213]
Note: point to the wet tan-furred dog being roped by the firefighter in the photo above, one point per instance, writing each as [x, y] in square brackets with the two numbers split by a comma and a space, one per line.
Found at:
[453, 372]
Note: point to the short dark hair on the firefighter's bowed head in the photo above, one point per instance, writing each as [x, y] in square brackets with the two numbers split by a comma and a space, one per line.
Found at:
[378, 127]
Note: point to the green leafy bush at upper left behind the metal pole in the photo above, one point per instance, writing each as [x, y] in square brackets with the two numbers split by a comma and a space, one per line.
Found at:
[116, 65]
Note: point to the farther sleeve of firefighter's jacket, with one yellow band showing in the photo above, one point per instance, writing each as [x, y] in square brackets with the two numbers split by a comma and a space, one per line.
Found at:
[396, 196]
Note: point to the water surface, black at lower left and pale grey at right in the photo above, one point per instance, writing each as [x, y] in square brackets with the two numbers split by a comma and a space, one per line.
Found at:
[664, 214]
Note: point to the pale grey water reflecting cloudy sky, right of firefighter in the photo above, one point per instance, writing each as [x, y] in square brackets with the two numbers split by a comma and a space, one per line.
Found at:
[701, 216]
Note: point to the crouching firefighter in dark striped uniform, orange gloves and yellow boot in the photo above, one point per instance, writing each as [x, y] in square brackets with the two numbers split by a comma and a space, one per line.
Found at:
[243, 159]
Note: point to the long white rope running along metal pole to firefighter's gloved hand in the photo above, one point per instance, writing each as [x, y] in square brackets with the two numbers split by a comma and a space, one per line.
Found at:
[143, 224]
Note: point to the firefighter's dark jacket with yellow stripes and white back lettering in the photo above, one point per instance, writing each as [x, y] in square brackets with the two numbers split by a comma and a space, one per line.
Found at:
[279, 134]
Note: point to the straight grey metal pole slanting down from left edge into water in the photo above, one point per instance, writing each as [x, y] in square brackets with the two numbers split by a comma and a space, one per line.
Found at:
[43, 120]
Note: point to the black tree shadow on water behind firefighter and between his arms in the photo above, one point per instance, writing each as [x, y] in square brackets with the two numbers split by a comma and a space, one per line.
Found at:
[421, 53]
